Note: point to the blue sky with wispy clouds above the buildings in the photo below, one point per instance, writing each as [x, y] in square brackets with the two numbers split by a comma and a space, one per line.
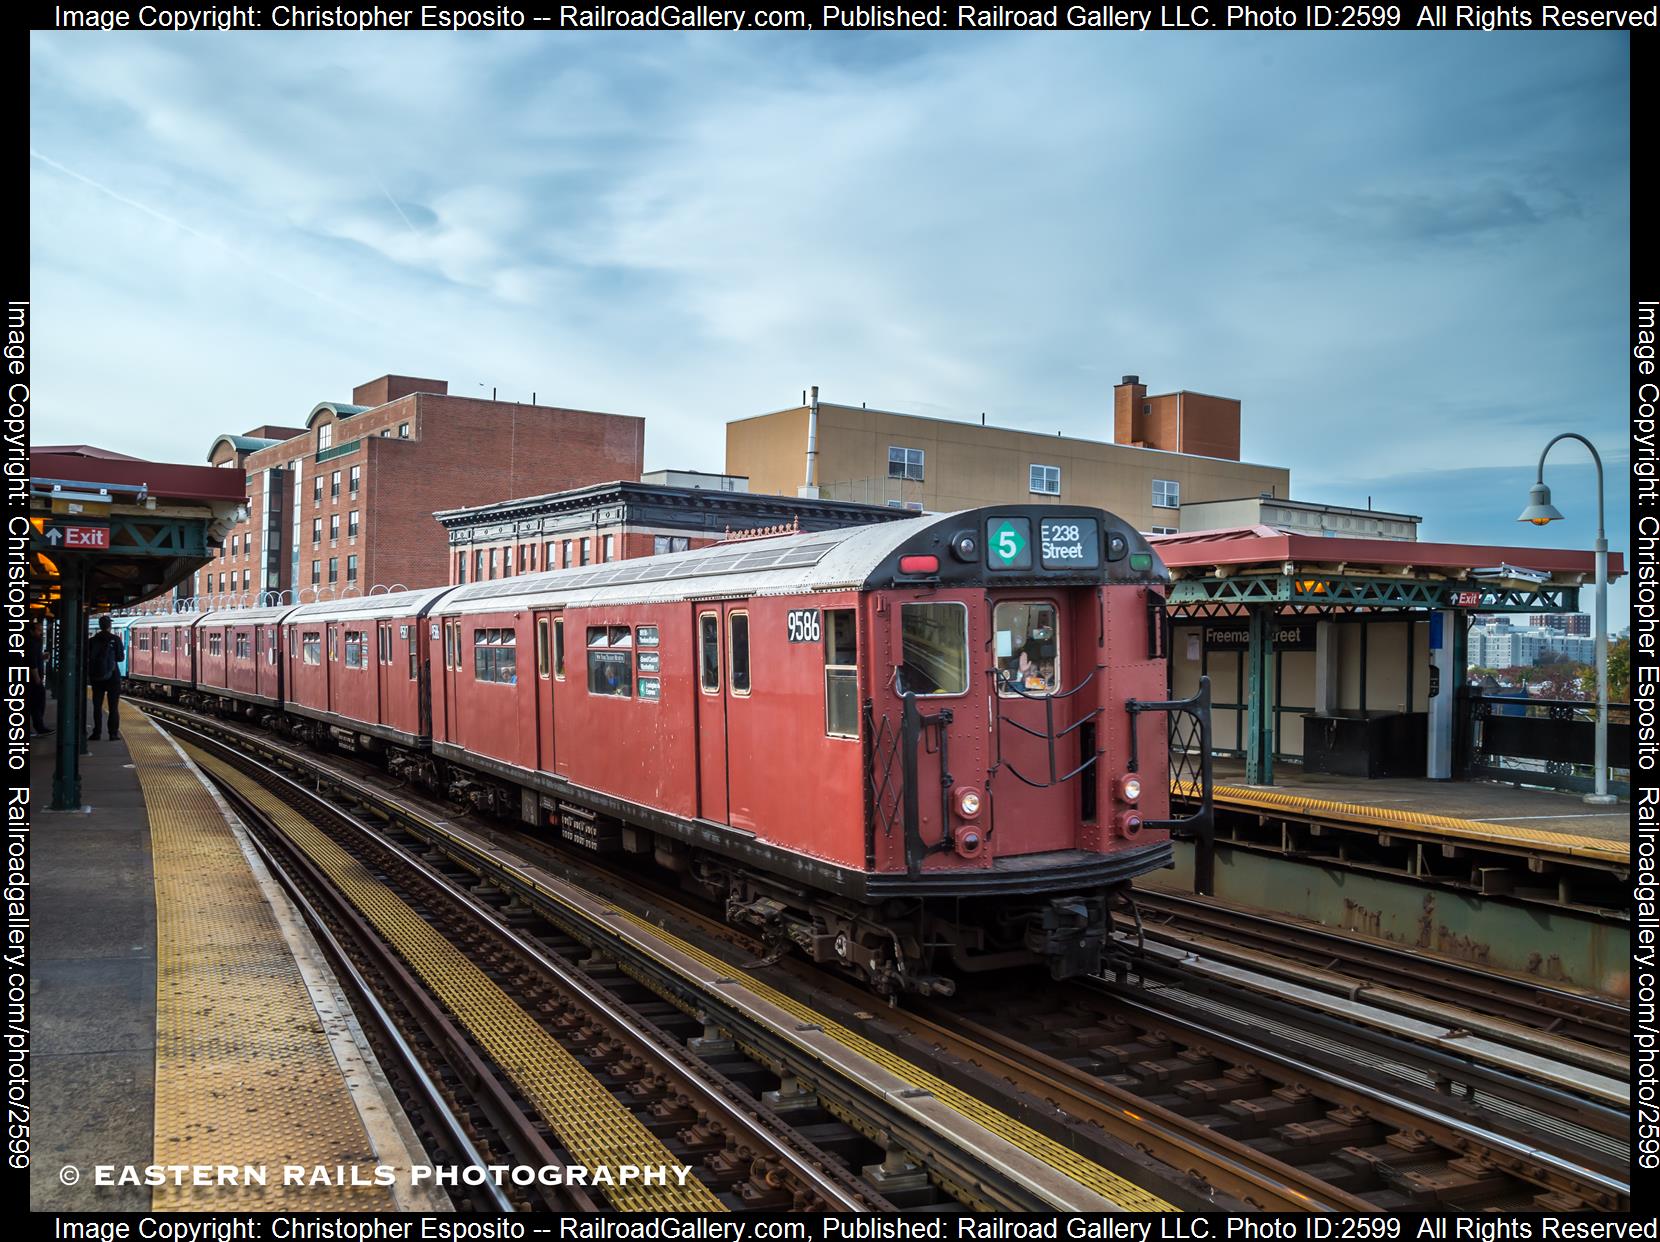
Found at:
[1409, 255]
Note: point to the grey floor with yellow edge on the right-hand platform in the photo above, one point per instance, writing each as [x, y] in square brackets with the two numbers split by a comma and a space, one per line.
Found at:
[1535, 816]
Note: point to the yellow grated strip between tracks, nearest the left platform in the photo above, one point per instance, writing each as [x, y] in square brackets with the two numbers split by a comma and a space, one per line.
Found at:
[590, 1122]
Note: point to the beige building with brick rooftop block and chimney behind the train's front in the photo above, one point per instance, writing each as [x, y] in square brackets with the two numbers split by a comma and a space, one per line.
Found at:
[1171, 449]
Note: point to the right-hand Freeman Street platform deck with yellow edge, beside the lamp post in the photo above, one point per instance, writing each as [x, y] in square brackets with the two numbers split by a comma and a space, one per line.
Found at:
[1485, 814]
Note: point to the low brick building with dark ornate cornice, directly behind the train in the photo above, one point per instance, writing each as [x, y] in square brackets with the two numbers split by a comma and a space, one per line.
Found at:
[623, 521]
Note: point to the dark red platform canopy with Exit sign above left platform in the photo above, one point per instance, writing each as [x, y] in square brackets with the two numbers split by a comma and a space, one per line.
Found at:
[127, 527]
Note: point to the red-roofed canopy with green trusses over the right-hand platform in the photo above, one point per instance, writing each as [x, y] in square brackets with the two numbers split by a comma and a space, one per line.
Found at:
[1229, 572]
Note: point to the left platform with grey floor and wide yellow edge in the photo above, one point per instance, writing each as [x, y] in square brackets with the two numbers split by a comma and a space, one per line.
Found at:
[183, 1014]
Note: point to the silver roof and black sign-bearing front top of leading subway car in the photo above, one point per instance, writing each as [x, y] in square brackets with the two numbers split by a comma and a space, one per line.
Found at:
[857, 559]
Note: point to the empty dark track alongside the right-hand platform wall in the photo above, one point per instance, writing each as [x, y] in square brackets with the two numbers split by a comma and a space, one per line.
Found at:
[1246, 936]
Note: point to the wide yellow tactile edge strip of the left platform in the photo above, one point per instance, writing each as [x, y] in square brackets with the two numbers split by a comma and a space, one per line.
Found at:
[245, 1070]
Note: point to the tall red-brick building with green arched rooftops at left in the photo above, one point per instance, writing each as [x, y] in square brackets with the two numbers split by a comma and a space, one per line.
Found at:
[346, 502]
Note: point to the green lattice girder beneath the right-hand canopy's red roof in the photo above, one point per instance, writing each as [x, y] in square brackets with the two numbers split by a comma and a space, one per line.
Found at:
[1324, 592]
